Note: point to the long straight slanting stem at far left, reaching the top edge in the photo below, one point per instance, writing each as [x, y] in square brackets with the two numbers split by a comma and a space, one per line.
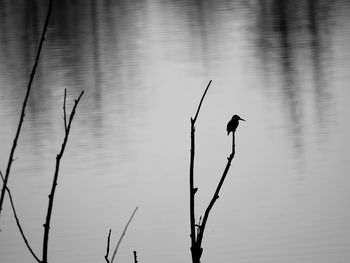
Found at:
[14, 145]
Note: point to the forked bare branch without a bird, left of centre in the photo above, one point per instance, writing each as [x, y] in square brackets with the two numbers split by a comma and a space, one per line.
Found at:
[54, 183]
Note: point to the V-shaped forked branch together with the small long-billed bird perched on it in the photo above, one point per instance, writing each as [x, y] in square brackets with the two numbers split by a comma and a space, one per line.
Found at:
[197, 237]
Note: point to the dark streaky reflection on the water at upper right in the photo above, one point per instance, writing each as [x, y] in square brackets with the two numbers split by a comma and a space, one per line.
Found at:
[295, 36]
